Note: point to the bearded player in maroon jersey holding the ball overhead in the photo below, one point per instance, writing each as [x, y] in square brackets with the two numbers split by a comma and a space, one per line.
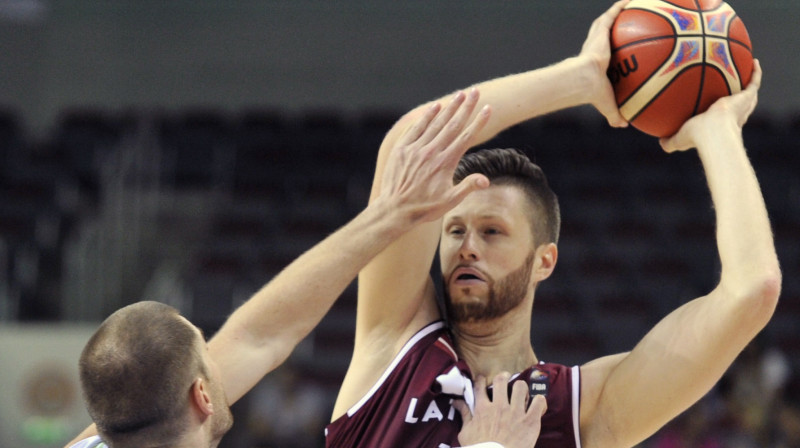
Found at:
[500, 242]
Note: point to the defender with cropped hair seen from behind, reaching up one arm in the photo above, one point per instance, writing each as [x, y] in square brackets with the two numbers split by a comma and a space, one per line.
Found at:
[150, 379]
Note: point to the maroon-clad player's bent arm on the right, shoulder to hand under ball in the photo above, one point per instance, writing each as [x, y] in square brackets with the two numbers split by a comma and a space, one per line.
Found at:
[628, 397]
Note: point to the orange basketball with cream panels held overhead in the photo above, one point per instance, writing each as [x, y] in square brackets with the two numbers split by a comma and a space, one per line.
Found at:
[670, 60]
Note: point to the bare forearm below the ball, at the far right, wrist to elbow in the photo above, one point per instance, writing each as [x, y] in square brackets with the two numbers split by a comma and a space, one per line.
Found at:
[744, 236]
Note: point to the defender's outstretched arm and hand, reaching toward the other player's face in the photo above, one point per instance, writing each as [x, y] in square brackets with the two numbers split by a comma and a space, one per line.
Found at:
[263, 332]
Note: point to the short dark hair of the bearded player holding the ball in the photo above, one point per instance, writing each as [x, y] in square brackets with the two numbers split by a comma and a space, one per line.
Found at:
[512, 167]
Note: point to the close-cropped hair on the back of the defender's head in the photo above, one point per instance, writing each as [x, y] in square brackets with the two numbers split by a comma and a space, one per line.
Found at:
[136, 373]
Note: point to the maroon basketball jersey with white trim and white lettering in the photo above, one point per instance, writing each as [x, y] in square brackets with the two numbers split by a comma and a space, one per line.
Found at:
[407, 407]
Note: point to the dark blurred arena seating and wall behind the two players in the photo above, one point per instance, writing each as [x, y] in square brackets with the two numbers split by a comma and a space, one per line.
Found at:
[185, 151]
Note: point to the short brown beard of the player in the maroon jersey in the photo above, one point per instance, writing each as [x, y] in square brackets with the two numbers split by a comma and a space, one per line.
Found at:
[504, 295]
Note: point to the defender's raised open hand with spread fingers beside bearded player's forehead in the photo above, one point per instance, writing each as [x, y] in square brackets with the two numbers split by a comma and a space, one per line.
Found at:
[419, 171]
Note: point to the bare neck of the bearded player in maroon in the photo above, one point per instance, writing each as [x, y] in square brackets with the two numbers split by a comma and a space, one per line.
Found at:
[495, 346]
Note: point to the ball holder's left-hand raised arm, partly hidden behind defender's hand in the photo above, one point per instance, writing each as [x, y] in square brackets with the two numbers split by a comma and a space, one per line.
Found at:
[395, 289]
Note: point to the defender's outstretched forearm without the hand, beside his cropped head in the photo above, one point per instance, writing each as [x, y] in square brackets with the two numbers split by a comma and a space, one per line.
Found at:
[263, 332]
